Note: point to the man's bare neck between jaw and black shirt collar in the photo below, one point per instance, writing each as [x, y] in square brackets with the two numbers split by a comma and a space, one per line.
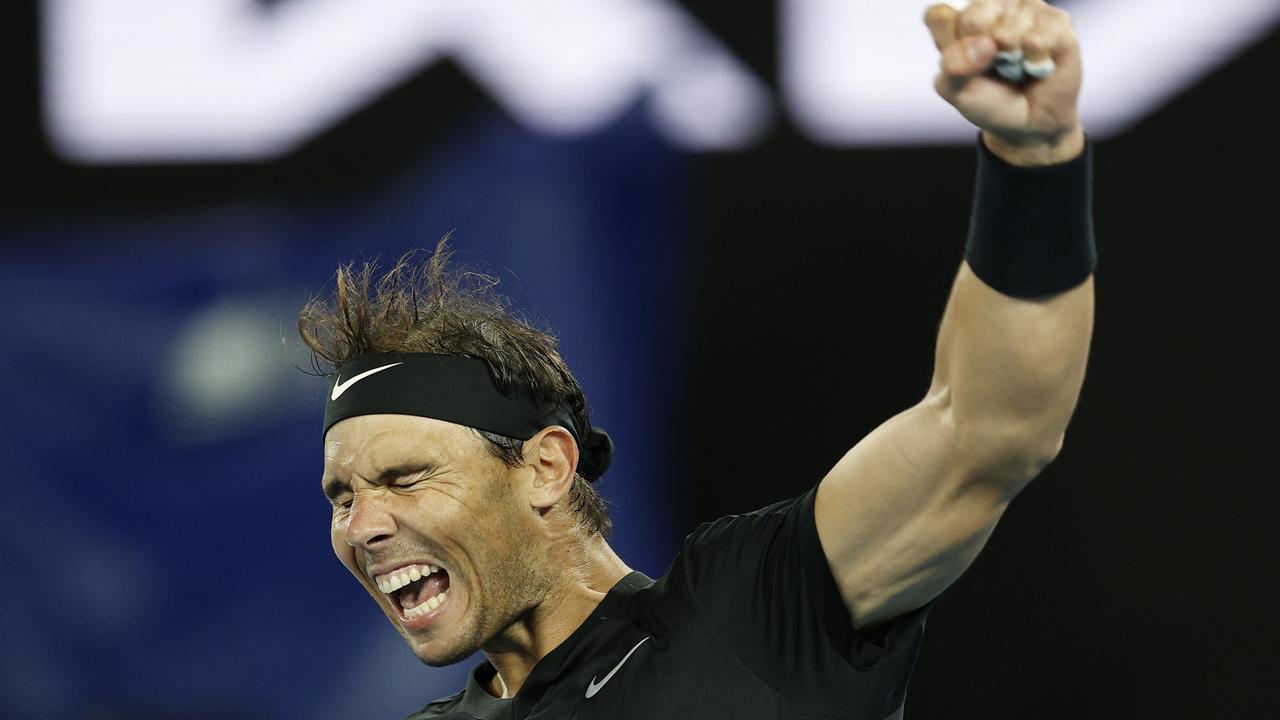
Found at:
[588, 569]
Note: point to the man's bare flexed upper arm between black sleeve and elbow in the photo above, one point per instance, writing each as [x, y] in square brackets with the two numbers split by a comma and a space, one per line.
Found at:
[906, 512]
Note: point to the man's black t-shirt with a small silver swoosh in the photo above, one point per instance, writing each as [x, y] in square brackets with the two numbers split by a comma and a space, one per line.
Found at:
[747, 625]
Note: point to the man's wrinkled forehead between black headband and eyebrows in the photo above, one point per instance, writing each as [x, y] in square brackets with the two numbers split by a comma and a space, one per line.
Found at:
[377, 440]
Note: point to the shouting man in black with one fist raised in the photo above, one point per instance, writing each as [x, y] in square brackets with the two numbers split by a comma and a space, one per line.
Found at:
[460, 458]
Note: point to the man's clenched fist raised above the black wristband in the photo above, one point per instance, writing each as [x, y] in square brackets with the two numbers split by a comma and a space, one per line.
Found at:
[1034, 122]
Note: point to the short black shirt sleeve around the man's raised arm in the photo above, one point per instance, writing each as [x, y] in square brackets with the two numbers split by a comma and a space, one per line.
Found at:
[764, 587]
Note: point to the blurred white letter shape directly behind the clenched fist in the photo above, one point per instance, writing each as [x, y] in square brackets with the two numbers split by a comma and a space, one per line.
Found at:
[861, 72]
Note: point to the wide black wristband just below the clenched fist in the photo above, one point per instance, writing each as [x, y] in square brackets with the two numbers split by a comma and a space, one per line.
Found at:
[1031, 233]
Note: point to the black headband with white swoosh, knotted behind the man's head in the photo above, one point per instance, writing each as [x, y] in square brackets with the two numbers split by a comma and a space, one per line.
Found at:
[458, 390]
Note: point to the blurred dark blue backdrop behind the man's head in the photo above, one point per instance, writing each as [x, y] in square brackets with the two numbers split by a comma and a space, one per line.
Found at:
[166, 450]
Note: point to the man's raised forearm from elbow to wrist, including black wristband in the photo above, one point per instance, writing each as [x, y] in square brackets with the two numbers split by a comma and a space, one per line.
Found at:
[1011, 363]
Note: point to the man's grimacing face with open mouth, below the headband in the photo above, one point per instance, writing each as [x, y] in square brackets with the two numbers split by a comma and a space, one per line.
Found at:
[410, 494]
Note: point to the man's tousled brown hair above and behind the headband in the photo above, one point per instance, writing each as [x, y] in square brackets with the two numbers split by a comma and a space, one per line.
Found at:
[426, 306]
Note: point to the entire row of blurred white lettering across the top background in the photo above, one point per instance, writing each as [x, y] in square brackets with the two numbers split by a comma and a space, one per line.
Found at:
[157, 81]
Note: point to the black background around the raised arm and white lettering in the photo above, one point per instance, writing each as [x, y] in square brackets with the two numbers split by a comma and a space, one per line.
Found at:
[1133, 577]
